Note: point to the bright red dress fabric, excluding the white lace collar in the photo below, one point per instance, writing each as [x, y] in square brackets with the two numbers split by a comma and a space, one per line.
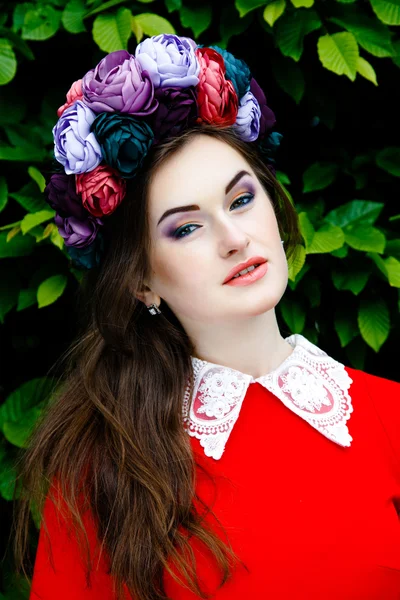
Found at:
[309, 518]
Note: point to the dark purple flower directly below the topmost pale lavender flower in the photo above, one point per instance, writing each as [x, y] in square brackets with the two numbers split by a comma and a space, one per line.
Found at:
[176, 110]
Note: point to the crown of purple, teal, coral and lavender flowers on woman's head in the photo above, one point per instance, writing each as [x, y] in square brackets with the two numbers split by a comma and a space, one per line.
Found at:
[127, 103]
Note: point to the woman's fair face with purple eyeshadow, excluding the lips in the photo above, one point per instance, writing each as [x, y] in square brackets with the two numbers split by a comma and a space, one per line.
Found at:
[194, 250]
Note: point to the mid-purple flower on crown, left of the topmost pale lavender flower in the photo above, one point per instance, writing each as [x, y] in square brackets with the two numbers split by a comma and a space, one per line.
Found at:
[119, 84]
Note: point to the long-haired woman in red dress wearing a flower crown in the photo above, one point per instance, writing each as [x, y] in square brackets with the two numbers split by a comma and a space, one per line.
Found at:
[193, 451]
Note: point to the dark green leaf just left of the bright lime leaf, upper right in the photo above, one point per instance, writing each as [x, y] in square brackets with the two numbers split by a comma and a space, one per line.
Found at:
[292, 28]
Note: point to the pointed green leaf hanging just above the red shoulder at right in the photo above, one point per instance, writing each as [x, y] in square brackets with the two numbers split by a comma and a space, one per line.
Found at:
[374, 321]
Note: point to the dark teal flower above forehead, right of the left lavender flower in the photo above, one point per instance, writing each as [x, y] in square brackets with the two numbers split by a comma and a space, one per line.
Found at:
[124, 141]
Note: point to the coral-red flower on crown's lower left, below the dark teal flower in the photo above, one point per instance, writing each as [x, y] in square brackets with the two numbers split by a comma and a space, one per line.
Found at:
[102, 190]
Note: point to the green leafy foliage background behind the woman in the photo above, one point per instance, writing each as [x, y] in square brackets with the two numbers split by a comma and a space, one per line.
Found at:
[330, 69]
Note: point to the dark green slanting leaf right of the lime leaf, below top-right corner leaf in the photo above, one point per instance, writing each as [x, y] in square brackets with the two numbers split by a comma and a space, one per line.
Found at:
[372, 35]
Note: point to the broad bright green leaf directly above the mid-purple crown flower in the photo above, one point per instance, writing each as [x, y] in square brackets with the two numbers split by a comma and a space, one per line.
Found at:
[112, 32]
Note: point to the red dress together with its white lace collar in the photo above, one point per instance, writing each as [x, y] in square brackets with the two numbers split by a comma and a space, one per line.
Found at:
[308, 491]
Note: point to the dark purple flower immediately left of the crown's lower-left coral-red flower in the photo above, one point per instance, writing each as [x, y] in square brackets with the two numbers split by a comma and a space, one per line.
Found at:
[60, 194]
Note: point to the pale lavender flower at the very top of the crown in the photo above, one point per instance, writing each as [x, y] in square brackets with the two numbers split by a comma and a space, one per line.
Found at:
[170, 60]
